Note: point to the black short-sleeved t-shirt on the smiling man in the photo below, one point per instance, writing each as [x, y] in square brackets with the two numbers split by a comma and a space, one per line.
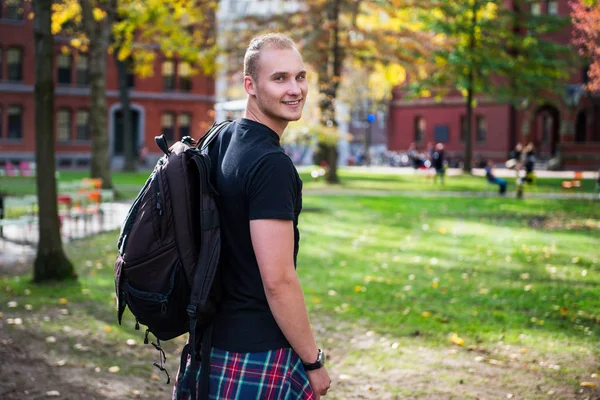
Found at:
[255, 179]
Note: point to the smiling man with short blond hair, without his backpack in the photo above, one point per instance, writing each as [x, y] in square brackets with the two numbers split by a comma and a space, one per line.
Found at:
[263, 346]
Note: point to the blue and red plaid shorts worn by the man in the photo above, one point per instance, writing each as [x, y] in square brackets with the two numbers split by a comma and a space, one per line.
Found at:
[269, 375]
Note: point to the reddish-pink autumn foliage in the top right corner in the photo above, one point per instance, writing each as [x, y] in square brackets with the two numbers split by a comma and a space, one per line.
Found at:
[586, 28]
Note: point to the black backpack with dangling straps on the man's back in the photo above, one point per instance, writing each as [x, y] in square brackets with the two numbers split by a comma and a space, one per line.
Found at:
[169, 248]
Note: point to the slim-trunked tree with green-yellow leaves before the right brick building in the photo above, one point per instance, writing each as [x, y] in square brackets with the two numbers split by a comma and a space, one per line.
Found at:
[485, 48]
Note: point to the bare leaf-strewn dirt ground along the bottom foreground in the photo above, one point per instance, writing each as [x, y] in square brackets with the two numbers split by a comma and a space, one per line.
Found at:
[363, 365]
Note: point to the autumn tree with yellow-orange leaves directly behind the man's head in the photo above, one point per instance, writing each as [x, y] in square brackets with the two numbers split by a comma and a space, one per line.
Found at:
[333, 34]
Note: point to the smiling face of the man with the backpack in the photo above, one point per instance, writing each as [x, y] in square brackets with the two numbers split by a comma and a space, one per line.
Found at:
[281, 89]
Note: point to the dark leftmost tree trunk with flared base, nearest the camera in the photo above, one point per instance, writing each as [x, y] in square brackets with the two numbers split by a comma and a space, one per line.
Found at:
[51, 262]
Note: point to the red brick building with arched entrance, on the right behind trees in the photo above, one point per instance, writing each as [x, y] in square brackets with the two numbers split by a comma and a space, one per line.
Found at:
[568, 126]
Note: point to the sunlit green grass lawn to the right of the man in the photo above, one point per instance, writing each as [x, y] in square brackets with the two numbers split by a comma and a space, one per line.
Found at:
[483, 268]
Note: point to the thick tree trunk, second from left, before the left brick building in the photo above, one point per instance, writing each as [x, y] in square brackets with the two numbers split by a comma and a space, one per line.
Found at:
[98, 33]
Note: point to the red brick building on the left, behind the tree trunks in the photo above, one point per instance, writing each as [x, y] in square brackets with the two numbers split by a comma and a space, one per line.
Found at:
[171, 102]
